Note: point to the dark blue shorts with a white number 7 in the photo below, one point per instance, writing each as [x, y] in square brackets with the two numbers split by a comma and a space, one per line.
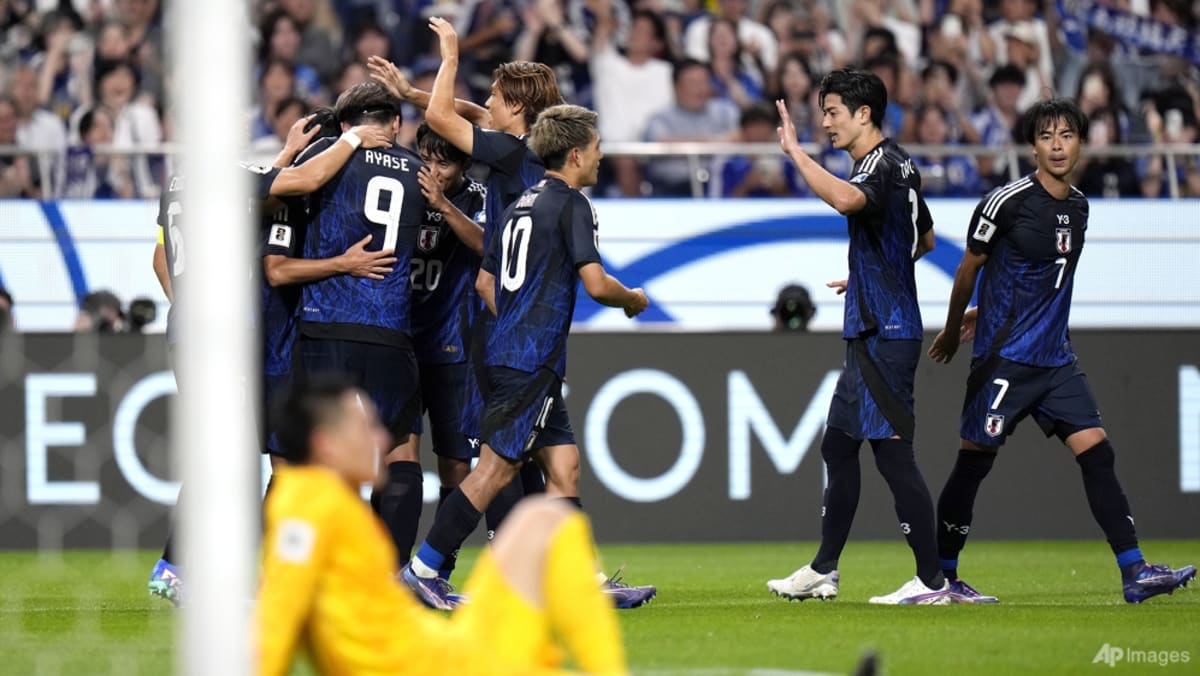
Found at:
[1003, 393]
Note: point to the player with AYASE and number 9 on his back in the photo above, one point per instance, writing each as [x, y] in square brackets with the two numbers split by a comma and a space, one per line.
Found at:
[363, 327]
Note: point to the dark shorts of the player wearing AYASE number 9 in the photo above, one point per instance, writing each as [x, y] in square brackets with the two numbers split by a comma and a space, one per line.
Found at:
[388, 374]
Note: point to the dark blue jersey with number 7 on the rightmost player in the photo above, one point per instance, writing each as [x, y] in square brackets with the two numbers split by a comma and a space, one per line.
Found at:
[1033, 242]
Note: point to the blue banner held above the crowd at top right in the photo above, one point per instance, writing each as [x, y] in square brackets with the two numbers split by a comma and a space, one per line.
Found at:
[1126, 28]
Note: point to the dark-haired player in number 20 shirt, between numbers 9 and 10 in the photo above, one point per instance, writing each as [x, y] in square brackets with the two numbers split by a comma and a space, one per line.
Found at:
[449, 247]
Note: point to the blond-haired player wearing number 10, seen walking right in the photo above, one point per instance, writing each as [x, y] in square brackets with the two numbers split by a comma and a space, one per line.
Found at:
[529, 280]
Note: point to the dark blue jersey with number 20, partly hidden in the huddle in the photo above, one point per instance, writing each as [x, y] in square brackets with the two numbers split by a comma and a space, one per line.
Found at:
[443, 279]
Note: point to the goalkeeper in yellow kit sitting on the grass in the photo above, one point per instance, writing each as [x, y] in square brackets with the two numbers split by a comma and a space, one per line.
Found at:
[328, 584]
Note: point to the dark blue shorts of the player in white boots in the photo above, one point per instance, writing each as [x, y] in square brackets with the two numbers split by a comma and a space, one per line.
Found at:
[874, 396]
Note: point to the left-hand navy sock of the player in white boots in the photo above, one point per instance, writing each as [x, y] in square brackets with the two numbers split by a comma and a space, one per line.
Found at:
[841, 454]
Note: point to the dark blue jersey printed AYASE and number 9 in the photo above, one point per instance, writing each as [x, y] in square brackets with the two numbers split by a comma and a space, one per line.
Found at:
[375, 194]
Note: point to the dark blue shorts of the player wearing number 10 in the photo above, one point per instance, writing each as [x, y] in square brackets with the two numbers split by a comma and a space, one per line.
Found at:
[525, 412]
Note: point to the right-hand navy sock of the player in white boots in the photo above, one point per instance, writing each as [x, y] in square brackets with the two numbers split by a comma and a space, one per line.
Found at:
[914, 506]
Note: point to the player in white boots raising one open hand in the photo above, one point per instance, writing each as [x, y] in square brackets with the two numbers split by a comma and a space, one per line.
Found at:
[890, 229]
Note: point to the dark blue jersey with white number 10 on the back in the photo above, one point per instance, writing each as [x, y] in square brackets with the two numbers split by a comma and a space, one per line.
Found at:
[548, 235]
